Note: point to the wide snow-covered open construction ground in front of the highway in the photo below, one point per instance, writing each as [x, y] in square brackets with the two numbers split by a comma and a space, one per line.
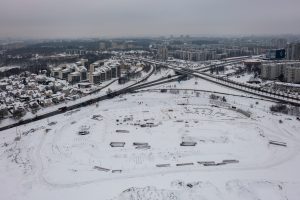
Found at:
[49, 159]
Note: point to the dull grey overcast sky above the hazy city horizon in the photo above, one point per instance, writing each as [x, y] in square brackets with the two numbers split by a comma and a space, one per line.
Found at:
[111, 18]
